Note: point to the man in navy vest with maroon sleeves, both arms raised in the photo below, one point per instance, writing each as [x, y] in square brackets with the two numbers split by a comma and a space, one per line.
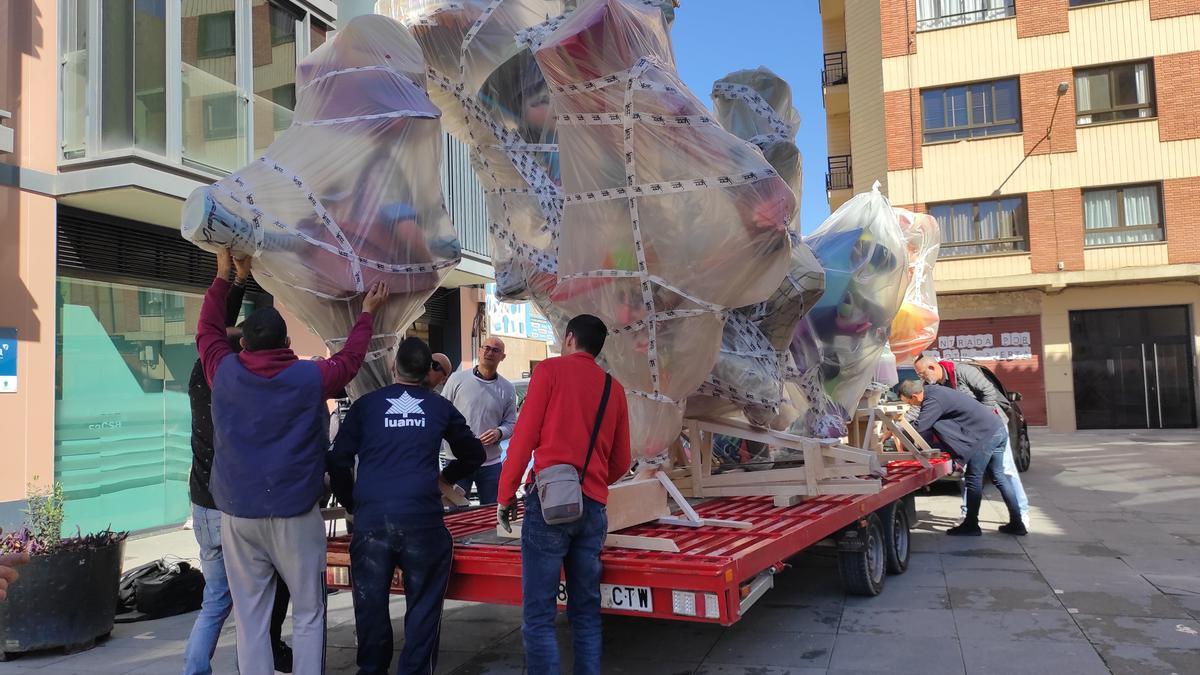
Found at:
[269, 465]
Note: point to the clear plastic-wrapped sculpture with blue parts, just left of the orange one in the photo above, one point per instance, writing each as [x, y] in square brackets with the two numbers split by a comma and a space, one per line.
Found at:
[839, 343]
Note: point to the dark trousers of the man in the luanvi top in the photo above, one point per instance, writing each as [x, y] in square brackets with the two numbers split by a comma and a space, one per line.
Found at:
[424, 558]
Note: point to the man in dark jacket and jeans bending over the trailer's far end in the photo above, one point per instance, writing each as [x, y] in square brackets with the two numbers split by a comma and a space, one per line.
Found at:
[977, 438]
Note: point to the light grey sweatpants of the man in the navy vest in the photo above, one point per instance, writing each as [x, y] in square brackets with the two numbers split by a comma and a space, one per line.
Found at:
[255, 548]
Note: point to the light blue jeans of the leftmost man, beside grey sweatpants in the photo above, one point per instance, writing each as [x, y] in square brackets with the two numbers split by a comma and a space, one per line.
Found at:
[218, 605]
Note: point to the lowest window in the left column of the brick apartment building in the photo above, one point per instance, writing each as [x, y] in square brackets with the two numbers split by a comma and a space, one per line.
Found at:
[982, 228]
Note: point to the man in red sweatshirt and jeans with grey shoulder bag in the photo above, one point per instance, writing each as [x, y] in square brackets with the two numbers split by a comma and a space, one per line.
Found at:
[556, 427]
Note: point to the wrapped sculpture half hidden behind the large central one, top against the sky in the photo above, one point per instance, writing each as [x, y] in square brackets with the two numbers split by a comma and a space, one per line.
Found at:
[757, 105]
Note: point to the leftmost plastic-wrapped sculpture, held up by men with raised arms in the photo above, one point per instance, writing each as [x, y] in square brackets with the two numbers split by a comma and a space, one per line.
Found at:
[350, 195]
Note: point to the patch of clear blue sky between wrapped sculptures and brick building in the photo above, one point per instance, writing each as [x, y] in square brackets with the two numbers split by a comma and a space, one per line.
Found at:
[716, 38]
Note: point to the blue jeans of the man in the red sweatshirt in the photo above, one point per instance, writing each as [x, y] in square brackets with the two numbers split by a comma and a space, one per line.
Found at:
[545, 552]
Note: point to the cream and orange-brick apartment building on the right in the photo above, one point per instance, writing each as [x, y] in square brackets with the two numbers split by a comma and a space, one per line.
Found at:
[1058, 144]
